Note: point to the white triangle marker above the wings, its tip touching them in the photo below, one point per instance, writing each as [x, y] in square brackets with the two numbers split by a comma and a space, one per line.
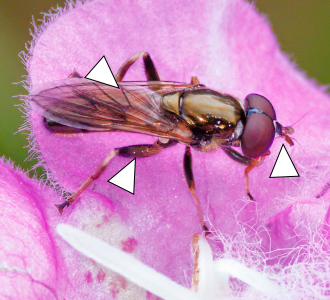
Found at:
[102, 73]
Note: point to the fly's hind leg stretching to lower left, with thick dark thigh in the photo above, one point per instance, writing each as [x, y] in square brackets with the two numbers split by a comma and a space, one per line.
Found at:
[129, 151]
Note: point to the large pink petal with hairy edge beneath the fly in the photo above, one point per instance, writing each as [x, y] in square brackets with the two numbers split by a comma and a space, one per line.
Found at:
[231, 48]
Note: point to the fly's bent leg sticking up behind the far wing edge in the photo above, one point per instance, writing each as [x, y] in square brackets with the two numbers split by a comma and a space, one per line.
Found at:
[149, 67]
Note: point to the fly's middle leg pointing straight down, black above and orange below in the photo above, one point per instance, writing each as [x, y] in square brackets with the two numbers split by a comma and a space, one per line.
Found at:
[191, 184]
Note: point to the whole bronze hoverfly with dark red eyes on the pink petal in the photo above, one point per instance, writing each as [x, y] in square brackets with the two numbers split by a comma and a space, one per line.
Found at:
[190, 114]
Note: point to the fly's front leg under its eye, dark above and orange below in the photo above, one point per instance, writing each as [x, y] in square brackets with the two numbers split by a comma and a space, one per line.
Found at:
[250, 162]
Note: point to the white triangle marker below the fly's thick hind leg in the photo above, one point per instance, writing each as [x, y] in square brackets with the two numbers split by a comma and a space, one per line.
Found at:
[125, 178]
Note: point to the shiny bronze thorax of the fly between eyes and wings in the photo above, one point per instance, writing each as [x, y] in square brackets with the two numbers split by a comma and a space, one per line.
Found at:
[212, 117]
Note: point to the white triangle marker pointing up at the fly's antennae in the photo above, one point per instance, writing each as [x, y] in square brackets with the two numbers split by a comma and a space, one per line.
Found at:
[284, 166]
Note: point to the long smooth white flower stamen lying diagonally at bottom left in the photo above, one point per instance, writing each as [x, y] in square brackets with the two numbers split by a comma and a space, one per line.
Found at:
[125, 264]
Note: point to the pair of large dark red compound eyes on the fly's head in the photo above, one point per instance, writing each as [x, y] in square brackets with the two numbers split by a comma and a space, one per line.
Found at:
[259, 131]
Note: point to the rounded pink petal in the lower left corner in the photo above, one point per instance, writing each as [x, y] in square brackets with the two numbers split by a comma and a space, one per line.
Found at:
[27, 258]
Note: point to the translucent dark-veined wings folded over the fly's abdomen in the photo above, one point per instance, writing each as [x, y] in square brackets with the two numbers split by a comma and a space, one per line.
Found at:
[89, 105]
